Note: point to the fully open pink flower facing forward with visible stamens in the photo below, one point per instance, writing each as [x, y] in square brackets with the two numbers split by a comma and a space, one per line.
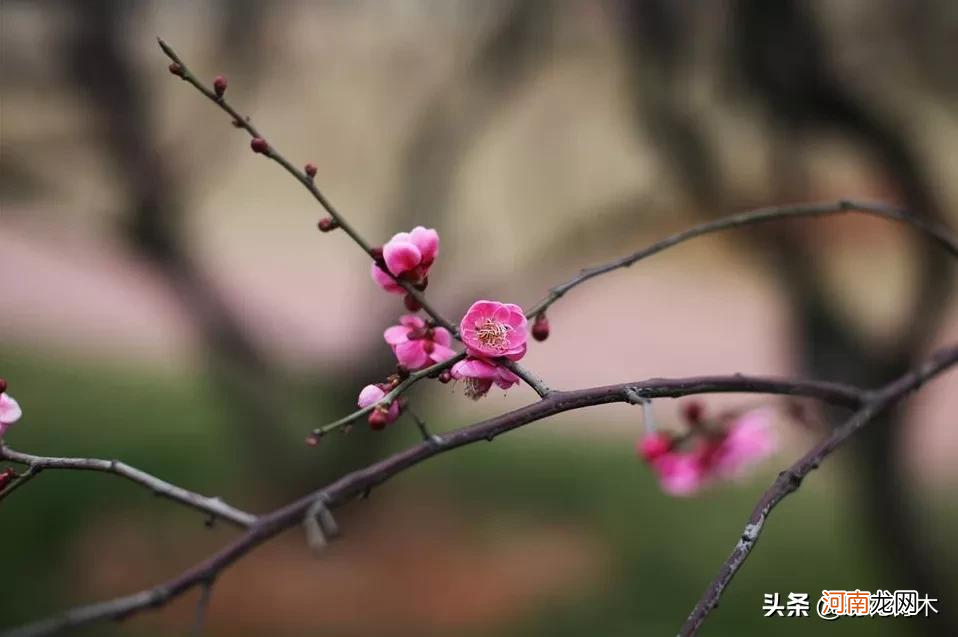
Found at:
[491, 329]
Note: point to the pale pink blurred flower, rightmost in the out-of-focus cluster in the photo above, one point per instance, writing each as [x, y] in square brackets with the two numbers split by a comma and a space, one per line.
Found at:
[748, 440]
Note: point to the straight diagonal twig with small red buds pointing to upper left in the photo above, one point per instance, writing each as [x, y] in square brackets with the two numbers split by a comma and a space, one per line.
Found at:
[243, 122]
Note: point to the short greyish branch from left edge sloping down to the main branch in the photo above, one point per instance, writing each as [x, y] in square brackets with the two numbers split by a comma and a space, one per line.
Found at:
[213, 506]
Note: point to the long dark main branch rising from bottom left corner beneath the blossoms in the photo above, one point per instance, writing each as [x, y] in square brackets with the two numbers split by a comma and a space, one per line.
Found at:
[358, 482]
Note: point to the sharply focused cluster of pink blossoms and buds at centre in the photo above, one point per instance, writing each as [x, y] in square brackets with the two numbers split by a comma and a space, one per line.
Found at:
[492, 332]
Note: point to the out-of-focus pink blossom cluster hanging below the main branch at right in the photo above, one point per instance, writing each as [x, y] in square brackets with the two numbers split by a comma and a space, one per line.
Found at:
[709, 451]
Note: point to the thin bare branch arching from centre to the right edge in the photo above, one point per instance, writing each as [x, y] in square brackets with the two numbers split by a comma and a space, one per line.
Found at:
[939, 234]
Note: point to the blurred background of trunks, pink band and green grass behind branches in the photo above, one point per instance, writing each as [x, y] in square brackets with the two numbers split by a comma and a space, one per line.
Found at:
[167, 300]
